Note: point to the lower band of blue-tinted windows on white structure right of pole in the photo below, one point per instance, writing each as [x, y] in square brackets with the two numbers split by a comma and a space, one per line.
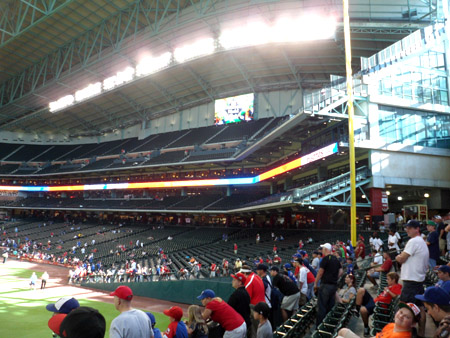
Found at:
[413, 127]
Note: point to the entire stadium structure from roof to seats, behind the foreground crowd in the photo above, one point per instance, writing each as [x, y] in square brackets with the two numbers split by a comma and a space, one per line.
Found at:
[151, 143]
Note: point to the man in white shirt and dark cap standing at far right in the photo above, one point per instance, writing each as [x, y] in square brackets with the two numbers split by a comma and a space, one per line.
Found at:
[414, 260]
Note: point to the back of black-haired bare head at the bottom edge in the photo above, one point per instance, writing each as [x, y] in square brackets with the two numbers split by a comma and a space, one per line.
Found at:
[83, 322]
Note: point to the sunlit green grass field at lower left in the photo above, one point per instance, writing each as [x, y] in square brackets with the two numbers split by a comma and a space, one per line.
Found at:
[23, 310]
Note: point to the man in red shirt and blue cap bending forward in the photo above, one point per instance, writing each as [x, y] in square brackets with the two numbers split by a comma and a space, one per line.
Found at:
[220, 312]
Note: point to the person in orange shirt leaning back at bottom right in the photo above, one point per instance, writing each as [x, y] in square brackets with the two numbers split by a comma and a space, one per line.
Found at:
[406, 318]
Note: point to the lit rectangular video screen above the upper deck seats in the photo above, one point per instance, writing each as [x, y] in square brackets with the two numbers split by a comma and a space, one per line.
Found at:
[234, 109]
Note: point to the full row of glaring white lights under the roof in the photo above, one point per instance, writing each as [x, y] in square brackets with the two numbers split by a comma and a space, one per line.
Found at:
[284, 30]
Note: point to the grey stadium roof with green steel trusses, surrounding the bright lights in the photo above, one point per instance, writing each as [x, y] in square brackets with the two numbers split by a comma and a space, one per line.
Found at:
[52, 48]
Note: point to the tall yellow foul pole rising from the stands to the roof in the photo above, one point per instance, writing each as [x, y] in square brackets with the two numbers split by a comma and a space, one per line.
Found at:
[351, 144]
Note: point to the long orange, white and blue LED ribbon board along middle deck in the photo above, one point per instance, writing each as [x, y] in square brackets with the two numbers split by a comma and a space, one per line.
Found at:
[314, 156]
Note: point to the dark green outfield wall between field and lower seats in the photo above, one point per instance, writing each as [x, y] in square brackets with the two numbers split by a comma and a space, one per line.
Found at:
[180, 291]
